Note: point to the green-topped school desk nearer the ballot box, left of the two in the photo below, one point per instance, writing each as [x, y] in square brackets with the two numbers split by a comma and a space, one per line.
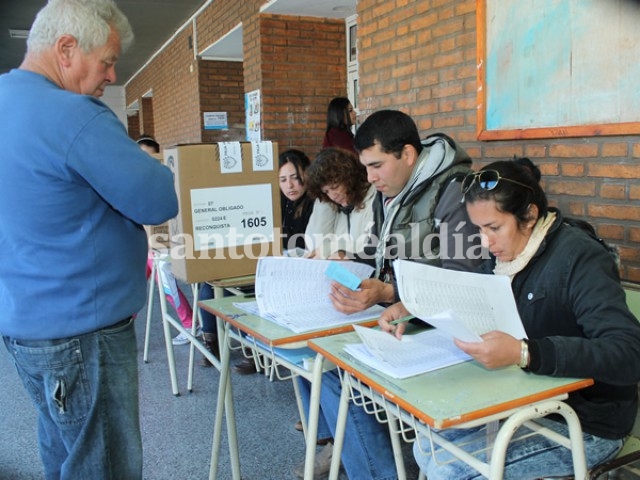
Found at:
[270, 340]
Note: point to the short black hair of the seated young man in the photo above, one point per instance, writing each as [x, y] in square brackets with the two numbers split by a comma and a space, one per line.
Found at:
[391, 129]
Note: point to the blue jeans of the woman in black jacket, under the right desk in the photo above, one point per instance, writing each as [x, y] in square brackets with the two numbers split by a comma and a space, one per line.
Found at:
[530, 458]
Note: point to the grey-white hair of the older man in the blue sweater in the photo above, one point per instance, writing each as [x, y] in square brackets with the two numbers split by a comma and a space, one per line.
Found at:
[88, 21]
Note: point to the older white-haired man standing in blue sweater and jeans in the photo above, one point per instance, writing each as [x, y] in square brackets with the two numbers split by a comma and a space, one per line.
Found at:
[74, 192]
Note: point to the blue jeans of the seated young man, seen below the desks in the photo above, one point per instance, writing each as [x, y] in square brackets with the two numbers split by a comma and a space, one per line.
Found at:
[367, 452]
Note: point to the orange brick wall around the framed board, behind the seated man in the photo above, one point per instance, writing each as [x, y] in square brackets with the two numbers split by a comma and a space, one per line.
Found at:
[420, 57]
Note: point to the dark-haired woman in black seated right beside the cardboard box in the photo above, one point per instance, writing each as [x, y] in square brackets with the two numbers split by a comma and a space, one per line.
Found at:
[296, 204]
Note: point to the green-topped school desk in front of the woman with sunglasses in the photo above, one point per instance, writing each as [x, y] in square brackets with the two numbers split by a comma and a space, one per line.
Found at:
[458, 396]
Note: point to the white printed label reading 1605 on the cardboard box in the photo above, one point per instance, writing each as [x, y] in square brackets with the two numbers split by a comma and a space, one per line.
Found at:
[232, 216]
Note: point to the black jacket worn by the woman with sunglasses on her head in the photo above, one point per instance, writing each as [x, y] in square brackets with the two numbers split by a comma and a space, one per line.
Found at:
[575, 314]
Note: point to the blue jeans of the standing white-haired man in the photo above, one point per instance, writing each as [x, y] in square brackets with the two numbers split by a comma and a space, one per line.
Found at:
[86, 392]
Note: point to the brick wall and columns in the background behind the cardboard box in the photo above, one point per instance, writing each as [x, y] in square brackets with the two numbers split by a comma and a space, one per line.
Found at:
[298, 64]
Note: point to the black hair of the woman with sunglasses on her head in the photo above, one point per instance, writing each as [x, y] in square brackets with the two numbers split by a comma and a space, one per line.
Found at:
[510, 197]
